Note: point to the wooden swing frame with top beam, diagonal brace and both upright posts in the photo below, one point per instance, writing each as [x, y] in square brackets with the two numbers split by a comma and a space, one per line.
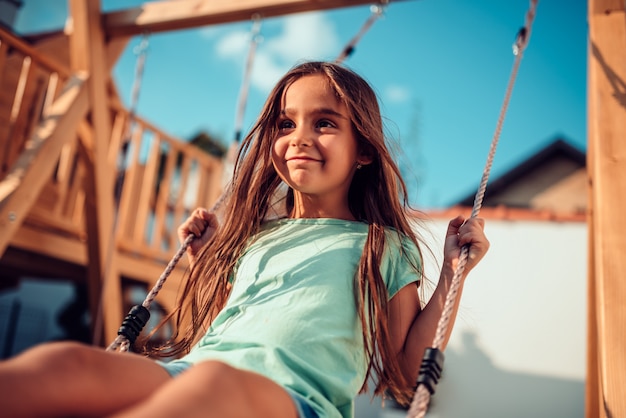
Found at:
[96, 42]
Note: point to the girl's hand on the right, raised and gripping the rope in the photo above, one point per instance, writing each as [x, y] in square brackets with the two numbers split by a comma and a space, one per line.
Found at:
[463, 231]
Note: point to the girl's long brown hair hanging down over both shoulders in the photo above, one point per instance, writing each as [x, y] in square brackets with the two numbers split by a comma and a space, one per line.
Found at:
[377, 196]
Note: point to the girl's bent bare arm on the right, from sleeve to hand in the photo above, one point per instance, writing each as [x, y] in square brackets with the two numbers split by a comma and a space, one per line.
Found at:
[412, 329]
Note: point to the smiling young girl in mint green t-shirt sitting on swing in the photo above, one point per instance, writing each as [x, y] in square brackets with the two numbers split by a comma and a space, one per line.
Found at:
[302, 293]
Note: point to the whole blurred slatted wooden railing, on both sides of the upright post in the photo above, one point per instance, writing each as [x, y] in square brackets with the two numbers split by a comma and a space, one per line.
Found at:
[162, 178]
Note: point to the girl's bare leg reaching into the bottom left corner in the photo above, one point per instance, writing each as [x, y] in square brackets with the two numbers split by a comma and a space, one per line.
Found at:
[71, 379]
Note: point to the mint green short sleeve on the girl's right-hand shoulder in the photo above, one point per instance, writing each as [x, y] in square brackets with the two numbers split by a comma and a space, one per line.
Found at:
[402, 264]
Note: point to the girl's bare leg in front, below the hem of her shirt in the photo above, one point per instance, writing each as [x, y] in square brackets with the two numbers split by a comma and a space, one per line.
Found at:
[215, 390]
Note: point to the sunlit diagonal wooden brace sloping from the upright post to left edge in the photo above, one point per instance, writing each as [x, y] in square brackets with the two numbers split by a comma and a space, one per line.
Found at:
[21, 186]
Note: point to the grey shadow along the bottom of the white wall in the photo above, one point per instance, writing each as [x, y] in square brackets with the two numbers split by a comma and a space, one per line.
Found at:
[474, 387]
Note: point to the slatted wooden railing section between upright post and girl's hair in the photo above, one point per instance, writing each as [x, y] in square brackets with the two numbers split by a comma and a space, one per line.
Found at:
[163, 180]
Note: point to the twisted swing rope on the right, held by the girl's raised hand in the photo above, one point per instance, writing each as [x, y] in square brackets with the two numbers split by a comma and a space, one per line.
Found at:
[425, 386]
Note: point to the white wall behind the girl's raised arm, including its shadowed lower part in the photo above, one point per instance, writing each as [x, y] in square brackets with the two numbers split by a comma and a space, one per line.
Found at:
[519, 343]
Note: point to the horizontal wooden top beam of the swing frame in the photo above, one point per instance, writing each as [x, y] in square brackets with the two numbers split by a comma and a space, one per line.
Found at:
[184, 14]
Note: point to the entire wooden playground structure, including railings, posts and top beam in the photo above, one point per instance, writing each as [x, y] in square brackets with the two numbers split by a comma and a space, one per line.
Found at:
[63, 128]
